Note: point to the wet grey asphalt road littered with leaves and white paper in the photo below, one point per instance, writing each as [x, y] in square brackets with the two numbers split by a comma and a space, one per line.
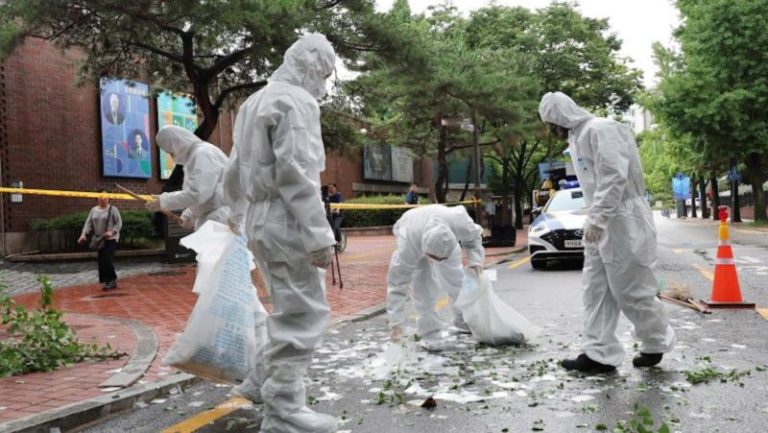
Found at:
[373, 386]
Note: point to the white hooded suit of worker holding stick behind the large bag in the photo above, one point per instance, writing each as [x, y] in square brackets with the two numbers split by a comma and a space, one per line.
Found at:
[200, 196]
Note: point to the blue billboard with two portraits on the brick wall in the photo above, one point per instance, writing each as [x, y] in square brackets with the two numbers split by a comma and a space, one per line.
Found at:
[125, 129]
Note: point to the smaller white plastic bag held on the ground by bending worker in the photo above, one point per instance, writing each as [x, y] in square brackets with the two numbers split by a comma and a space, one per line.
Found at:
[490, 319]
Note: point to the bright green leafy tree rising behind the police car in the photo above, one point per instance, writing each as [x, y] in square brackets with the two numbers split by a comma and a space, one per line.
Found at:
[558, 49]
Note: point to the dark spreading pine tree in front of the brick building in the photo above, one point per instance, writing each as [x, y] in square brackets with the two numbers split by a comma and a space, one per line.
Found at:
[215, 50]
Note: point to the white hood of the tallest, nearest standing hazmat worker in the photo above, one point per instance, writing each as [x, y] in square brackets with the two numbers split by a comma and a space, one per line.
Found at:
[307, 63]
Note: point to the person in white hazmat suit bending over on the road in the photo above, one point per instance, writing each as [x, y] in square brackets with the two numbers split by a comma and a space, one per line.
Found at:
[427, 263]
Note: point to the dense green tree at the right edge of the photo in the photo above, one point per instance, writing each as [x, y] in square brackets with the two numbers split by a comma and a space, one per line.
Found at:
[720, 92]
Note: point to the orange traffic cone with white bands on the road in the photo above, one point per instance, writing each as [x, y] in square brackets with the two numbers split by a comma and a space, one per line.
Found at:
[725, 288]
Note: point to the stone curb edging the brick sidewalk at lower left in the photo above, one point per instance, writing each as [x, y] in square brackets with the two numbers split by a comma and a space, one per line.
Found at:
[78, 414]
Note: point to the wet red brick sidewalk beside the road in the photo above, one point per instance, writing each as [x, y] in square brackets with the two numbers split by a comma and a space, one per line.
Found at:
[163, 301]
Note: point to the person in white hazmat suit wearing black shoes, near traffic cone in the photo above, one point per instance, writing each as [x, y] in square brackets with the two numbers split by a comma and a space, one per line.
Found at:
[619, 239]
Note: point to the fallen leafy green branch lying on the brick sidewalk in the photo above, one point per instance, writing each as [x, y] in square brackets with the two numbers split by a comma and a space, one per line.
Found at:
[40, 340]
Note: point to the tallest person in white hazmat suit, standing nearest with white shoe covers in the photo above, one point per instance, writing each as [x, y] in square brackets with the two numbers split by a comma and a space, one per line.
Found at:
[272, 184]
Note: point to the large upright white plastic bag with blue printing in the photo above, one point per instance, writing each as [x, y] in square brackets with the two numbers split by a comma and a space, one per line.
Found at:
[225, 334]
